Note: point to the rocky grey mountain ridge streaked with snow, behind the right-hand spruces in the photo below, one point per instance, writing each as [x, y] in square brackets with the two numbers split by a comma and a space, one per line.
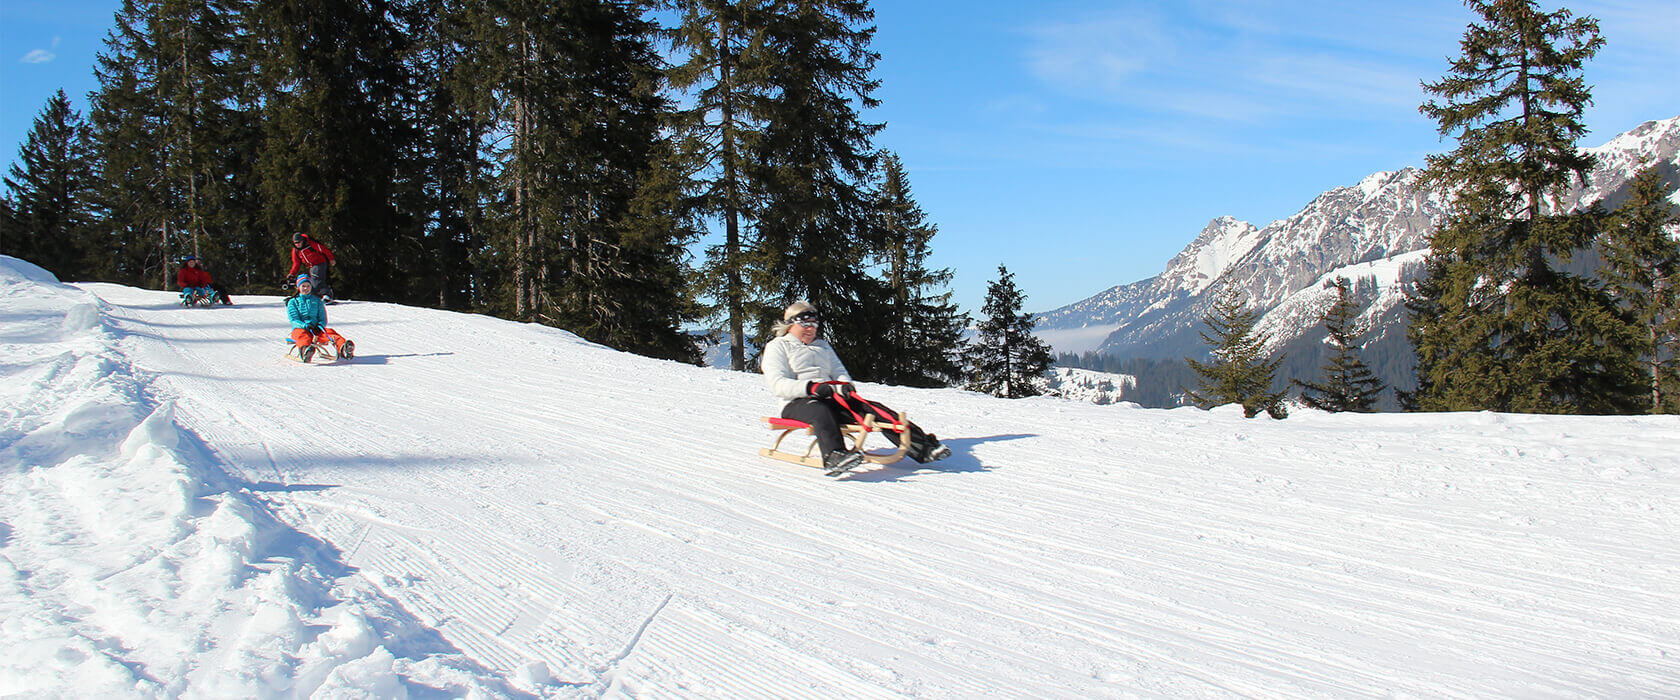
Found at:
[1368, 229]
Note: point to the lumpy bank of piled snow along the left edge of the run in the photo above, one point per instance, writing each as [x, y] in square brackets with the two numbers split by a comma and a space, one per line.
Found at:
[129, 567]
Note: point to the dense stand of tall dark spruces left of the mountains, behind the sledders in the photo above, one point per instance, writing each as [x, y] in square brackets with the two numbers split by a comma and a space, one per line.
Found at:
[621, 170]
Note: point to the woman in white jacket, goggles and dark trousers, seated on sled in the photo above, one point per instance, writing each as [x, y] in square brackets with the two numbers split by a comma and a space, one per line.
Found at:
[801, 370]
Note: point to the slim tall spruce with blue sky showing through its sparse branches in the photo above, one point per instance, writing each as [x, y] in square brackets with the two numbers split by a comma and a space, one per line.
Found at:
[727, 76]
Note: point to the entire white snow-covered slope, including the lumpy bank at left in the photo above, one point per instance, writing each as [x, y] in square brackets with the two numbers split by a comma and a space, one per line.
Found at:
[476, 508]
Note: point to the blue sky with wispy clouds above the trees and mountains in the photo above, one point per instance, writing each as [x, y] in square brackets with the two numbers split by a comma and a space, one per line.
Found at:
[1083, 144]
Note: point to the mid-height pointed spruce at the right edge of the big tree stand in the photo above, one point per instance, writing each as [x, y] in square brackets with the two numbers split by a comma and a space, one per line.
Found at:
[923, 338]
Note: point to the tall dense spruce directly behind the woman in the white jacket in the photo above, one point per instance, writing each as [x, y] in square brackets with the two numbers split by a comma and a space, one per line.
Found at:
[811, 165]
